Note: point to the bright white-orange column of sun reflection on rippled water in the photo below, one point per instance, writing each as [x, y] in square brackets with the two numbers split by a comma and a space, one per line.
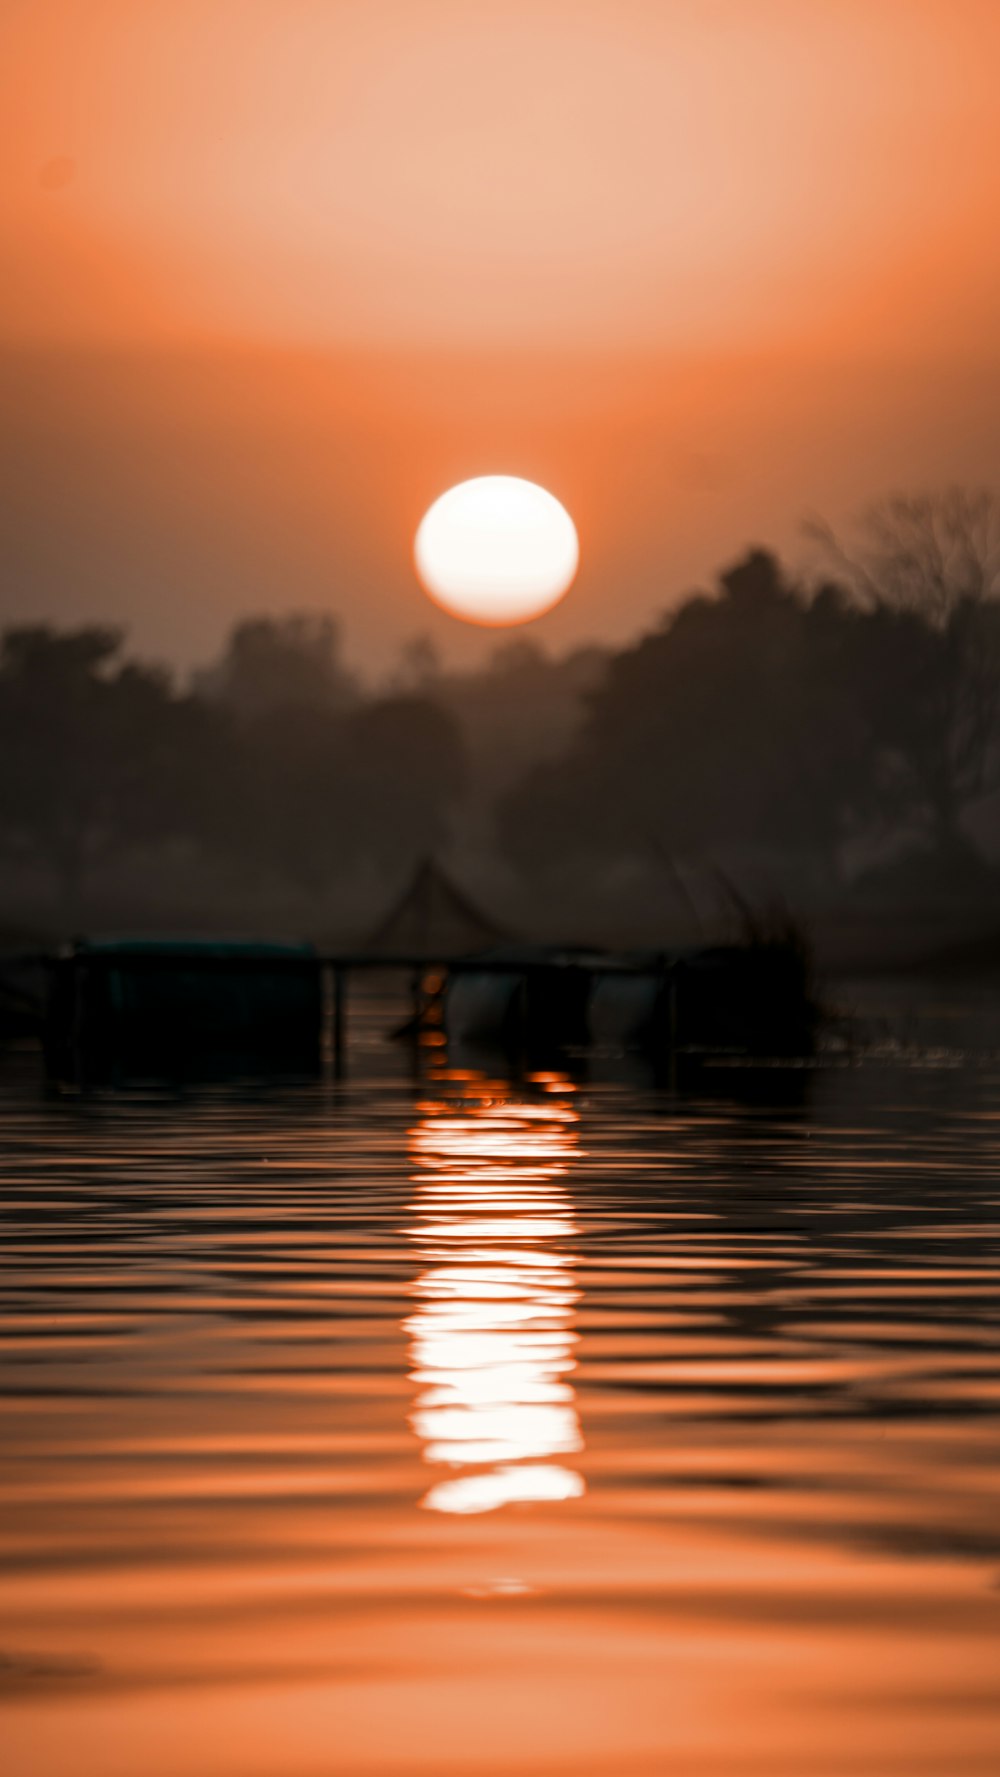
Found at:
[493, 1335]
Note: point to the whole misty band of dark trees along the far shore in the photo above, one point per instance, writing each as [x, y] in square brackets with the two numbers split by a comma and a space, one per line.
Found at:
[809, 735]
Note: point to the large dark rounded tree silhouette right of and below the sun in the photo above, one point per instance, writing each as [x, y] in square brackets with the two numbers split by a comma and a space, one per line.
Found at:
[726, 728]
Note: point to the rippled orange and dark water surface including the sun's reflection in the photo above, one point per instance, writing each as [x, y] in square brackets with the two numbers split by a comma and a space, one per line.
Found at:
[463, 1430]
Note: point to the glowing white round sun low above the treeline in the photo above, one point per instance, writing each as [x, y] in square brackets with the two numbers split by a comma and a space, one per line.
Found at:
[496, 550]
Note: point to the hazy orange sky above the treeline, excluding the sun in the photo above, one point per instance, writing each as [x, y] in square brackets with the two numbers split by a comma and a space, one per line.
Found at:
[274, 273]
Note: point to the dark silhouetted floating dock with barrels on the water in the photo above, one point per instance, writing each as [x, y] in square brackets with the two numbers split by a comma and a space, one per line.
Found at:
[123, 1010]
